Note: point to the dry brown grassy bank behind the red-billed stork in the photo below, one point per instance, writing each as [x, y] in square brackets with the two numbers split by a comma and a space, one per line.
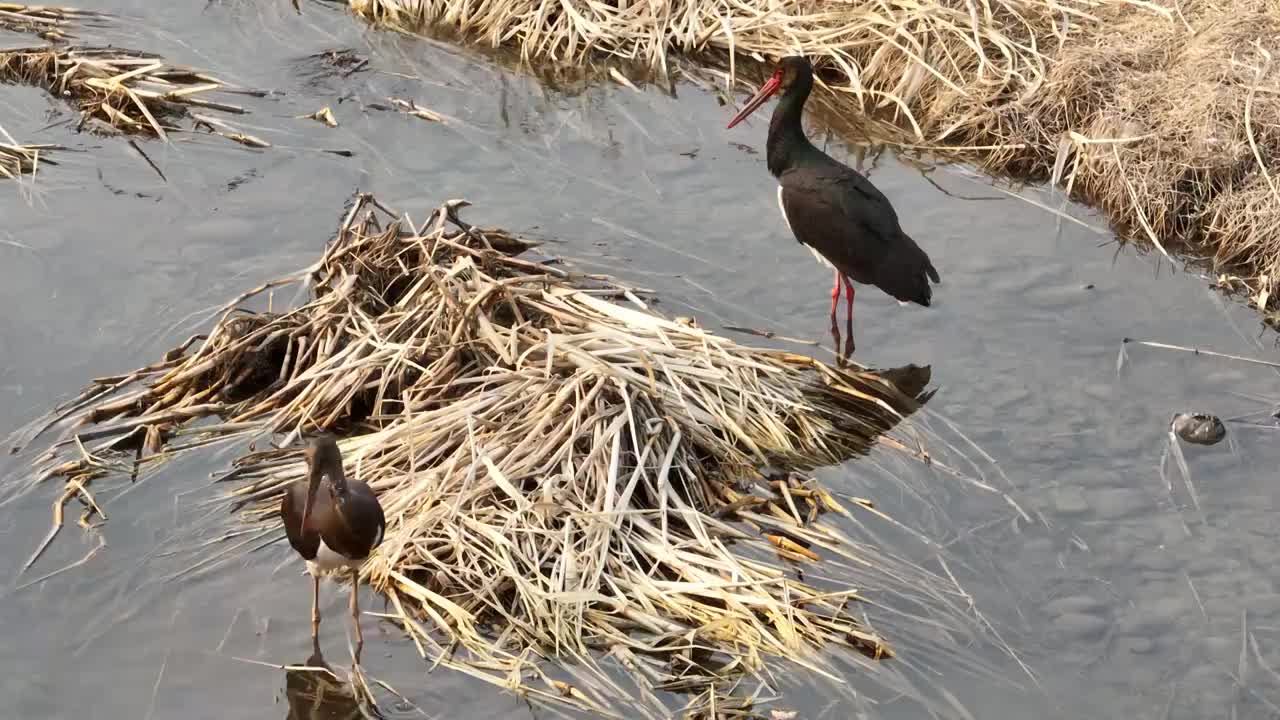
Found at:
[1163, 113]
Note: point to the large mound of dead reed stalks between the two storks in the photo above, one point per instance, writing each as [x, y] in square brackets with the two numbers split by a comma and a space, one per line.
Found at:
[565, 473]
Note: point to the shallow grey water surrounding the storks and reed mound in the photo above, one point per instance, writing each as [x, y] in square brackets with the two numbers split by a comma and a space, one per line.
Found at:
[1126, 598]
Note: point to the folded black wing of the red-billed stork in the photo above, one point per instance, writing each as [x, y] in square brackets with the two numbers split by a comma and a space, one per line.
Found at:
[842, 216]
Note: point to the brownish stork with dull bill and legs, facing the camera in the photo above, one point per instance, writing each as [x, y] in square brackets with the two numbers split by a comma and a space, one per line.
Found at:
[333, 526]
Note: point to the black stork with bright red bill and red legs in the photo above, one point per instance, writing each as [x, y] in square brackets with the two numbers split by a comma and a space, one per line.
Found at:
[833, 209]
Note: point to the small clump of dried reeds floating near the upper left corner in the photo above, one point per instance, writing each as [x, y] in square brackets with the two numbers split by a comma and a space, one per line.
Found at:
[126, 90]
